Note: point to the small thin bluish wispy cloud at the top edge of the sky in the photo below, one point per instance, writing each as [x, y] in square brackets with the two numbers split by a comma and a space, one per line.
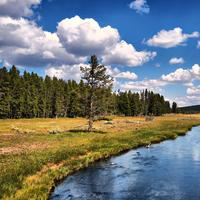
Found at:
[140, 6]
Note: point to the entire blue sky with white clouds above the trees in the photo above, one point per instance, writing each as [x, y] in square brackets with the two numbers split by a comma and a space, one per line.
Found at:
[150, 44]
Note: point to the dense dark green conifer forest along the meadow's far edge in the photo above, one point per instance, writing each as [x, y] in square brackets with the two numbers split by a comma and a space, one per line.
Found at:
[29, 96]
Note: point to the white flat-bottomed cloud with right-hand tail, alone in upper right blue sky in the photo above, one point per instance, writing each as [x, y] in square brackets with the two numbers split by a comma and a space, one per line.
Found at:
[171, 38]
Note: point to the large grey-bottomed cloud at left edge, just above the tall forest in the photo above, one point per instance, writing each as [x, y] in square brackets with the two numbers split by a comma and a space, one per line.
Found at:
[23, 43]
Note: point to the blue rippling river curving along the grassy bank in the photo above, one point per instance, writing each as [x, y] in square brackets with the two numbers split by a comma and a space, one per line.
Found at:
[166, 171]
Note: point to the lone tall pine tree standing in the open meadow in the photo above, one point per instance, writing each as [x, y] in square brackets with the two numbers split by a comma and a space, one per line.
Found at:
[96, 79]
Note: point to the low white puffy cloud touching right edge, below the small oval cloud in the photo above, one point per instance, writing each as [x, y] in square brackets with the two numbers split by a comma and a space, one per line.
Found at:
[183, 75]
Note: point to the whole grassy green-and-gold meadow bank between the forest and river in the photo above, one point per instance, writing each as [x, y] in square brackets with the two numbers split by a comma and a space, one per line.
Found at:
[32, 160]
